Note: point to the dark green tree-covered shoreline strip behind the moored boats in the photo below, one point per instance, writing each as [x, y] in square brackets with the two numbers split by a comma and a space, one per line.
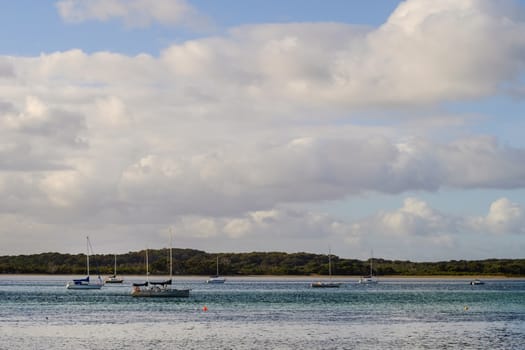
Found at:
[196, 262]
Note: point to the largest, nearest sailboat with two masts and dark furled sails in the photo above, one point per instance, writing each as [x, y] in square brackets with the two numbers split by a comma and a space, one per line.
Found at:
[158, 289]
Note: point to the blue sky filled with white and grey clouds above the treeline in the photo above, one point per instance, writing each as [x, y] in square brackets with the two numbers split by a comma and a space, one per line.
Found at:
[385, 128]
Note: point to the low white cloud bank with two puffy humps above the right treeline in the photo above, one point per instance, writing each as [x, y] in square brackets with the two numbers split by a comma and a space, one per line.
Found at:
[417, 228]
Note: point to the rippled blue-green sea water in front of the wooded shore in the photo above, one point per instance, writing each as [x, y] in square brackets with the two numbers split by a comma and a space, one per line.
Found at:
[38, 312]
